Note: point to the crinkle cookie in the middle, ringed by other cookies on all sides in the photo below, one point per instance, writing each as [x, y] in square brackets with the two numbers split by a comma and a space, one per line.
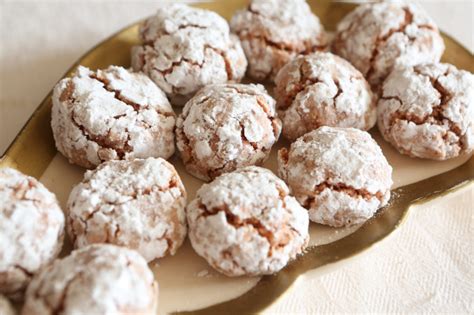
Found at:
[225, 127]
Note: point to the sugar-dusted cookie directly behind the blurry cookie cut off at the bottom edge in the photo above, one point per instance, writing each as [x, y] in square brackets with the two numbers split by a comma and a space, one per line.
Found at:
[138, 204]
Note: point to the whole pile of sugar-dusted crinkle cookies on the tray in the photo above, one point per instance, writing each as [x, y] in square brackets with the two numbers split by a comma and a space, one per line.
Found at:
[131, 209]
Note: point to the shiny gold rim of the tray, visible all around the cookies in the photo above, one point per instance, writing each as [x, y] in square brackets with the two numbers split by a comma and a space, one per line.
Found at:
[33, 151]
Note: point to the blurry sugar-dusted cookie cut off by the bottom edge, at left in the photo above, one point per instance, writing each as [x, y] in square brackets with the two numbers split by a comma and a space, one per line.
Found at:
[97, 279]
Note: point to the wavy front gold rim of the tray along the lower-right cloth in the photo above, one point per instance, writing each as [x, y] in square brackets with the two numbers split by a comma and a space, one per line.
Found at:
[387, 220]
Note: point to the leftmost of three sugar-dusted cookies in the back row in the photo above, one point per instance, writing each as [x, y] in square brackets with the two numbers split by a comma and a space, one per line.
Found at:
[186, 48]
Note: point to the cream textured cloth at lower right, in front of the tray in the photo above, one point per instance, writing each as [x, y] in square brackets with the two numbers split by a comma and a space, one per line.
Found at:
[424, 267]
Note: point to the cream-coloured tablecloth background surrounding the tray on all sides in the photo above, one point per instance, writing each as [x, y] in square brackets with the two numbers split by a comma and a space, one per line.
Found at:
[427, 266]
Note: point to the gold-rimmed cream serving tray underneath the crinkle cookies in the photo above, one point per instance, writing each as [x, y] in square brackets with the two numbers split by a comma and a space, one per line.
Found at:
[187, 283]
